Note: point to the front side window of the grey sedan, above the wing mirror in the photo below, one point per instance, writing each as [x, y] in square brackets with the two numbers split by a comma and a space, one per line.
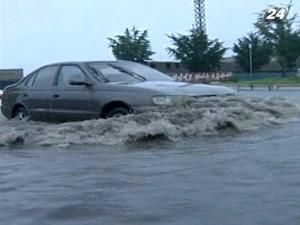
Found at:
[69, 73]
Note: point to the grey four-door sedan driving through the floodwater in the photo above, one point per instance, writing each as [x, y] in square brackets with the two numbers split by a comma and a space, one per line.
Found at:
[85, 90]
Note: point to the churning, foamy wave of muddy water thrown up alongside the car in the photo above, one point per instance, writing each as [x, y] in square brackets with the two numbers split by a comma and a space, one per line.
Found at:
[207, 116]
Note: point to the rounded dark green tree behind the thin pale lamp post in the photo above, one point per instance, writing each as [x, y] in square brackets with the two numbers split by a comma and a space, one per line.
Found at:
[261, 52]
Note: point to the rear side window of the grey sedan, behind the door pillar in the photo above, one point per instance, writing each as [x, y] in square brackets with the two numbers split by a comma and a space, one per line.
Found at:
[45, 77]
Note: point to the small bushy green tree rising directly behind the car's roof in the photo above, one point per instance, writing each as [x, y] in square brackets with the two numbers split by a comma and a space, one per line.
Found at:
[133, 45]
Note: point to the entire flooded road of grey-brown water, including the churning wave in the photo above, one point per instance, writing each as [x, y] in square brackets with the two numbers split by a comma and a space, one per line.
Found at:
[219, 161]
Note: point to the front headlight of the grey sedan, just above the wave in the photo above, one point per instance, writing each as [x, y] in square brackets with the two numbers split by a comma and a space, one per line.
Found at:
[169, 100]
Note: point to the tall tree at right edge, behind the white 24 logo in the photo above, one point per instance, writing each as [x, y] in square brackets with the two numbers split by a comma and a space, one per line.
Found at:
[284, 39]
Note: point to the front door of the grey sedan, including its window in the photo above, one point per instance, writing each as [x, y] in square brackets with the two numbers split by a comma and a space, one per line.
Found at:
[72, 101]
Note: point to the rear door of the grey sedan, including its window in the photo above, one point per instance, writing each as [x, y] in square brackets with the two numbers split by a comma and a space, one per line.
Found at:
[38, 92]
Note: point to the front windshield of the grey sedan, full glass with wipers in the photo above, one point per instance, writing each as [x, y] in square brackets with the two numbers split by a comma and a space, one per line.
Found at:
[126, 72]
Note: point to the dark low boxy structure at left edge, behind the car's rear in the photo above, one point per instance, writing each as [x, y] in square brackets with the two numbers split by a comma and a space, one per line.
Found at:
[9, 76]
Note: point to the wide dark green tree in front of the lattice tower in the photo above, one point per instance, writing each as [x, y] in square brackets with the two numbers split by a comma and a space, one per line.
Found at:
[196, 51]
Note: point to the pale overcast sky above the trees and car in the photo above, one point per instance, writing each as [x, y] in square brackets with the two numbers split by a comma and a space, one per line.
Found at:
[37, 32]
